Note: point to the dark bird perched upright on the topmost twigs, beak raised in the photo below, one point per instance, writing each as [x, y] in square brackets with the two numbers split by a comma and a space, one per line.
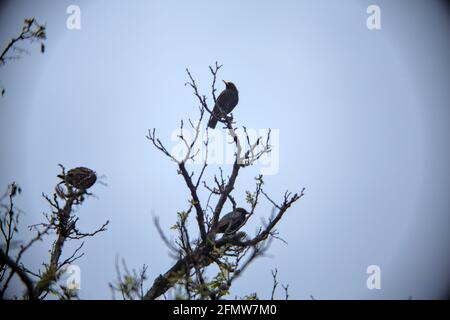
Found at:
[225, 103]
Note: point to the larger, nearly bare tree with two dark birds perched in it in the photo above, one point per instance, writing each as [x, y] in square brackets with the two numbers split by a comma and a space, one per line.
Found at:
[231, 254]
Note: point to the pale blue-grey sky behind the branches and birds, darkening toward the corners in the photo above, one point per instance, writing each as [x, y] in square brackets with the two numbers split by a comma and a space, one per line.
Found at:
[362, 118]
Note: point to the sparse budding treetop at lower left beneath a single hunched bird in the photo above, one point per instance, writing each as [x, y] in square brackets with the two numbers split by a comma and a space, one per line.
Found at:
[61, 222]
